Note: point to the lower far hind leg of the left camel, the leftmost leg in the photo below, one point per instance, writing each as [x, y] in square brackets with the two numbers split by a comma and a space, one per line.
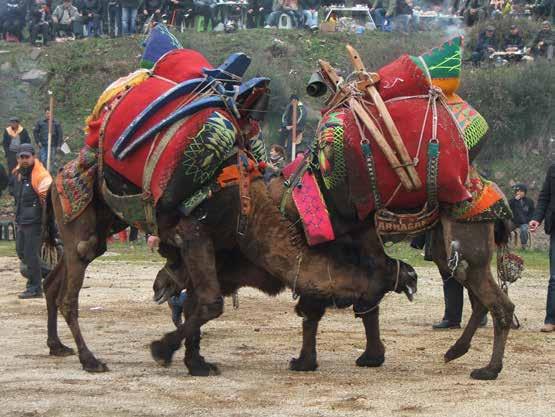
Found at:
[52, 285]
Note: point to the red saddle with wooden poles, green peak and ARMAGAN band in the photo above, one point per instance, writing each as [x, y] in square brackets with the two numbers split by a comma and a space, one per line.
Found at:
[400, 139]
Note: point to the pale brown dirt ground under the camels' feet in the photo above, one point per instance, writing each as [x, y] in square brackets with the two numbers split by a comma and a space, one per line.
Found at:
[253, 345]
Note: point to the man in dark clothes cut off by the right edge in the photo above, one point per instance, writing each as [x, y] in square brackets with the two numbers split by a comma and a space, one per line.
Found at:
[545, 210]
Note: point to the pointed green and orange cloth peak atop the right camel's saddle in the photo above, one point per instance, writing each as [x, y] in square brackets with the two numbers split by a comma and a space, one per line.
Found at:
[443, 65]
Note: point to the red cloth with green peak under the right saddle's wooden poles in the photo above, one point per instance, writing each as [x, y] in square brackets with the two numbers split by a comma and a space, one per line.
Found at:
[406, 86]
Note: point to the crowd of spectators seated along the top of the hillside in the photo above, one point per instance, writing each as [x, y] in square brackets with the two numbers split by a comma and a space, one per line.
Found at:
[45, 20]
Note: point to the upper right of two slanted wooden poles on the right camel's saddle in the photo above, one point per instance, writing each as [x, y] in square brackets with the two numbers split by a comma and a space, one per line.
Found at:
[408, 163]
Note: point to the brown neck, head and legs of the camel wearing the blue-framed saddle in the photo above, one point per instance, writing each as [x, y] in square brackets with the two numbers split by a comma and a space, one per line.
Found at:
[270, 242]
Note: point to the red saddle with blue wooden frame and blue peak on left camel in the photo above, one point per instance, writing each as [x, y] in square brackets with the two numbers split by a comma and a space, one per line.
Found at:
[158, 138]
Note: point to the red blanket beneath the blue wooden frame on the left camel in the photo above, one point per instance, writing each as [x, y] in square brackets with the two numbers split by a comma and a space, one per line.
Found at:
[174, 67]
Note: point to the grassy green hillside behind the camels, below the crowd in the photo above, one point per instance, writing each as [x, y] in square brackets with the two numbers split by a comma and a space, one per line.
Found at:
[517, 101]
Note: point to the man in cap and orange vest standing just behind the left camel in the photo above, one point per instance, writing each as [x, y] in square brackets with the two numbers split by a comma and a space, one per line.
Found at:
[31, 184]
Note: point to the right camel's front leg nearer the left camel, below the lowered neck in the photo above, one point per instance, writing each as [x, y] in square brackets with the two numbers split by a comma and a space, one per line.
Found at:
[311, 310]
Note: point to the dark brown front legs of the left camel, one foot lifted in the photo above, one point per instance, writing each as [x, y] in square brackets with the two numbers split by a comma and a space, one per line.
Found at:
[197, 252]
